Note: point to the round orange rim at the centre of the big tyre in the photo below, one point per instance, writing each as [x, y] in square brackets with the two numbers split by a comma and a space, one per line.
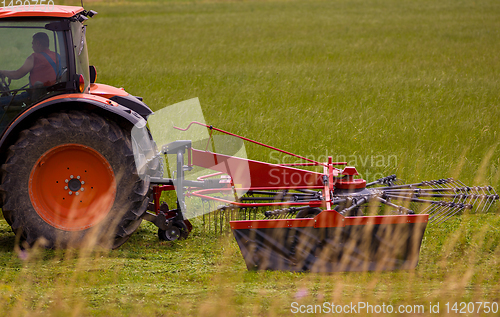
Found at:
[72, 187]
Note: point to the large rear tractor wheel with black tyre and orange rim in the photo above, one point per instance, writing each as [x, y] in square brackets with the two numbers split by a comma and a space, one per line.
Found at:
[71, 180]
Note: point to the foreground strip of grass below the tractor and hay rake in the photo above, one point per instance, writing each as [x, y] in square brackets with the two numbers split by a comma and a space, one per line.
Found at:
[205, 275]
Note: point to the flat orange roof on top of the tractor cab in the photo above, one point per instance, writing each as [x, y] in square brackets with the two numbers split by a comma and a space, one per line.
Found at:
[57, 11]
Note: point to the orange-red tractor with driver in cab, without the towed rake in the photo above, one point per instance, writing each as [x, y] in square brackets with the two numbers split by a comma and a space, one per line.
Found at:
[66, 149]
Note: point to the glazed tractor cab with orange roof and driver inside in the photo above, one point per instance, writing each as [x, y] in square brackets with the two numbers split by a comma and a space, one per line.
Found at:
[43, 54]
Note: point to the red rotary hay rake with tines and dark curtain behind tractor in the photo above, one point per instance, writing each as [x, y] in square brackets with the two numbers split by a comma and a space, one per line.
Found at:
[311, 221]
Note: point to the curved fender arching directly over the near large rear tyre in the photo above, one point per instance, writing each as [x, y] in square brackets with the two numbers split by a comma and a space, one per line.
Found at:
[110, 109]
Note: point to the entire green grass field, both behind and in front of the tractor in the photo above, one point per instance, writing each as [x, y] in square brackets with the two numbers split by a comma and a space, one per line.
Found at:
[404, 87]
